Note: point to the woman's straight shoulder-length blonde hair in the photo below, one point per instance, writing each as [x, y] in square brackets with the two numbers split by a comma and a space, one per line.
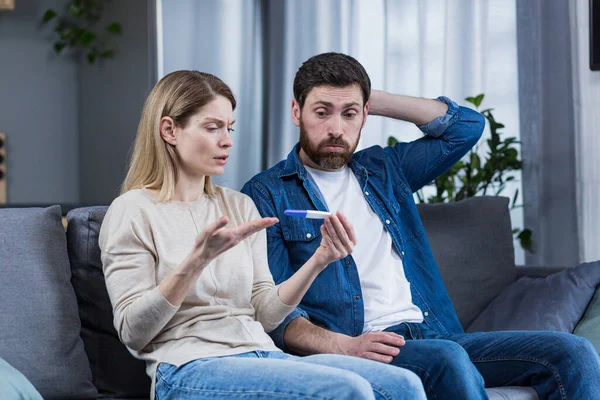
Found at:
[154, 163]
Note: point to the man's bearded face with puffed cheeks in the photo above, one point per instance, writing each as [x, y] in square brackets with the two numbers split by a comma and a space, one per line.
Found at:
[330, 123]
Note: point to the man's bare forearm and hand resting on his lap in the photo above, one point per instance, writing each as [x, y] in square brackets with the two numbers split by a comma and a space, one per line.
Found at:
[305, 338]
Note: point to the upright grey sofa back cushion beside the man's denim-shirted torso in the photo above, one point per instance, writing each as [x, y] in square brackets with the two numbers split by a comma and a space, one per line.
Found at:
[473, 247]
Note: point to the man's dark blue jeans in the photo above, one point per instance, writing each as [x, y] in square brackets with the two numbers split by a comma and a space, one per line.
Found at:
[557, 365]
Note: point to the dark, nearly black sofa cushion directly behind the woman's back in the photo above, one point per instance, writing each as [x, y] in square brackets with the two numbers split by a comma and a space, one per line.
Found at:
[116, 373]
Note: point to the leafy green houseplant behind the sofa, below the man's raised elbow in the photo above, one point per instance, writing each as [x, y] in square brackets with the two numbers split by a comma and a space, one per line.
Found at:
[474, 176]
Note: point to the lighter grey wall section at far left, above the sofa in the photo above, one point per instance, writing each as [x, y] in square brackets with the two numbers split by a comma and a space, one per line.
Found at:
[38, 109]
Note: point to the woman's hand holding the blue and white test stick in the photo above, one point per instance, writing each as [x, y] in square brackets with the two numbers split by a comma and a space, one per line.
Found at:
[338, 239]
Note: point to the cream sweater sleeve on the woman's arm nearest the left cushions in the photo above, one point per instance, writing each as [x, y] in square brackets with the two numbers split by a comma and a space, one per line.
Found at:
[128, 261]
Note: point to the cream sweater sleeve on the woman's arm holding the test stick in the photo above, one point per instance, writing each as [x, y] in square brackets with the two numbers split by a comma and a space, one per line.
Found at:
[270, 310]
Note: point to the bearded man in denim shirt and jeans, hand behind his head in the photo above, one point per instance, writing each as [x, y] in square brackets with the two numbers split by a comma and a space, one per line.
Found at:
[389, 289]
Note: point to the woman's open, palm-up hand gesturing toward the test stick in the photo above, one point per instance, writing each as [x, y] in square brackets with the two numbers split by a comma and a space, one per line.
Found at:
[216, 239]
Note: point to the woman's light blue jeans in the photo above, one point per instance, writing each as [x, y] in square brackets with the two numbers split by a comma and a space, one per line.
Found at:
[276, 375]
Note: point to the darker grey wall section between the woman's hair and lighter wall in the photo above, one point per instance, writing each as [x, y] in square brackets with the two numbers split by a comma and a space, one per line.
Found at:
[112, 95]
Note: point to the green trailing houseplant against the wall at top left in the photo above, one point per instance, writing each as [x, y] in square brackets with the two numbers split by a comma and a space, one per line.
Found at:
[76, 28]
